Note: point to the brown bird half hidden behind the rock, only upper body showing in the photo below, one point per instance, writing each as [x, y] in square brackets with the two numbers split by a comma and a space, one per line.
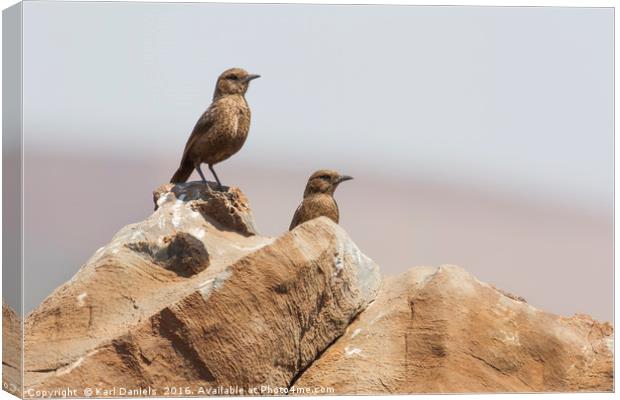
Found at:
[319, 197]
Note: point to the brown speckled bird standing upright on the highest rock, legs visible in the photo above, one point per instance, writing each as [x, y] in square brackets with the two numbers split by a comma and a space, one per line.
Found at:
[222, 129]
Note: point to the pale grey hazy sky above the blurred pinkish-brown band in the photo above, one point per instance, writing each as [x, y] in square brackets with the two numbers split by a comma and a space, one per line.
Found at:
[518, 98]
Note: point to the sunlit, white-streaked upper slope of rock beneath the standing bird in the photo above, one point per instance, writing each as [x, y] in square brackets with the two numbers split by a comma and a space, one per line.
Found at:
[130, 279]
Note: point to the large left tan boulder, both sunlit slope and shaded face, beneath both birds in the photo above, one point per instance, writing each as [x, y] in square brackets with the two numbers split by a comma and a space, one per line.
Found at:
[185, 298]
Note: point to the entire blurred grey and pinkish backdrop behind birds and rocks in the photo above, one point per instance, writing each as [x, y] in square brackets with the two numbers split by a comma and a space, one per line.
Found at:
[477, 136]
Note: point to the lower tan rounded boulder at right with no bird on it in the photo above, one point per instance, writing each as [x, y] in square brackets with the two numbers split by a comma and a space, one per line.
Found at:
[440, 330]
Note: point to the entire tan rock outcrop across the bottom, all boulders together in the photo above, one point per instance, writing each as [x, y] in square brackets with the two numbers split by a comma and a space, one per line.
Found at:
[194, 297]
